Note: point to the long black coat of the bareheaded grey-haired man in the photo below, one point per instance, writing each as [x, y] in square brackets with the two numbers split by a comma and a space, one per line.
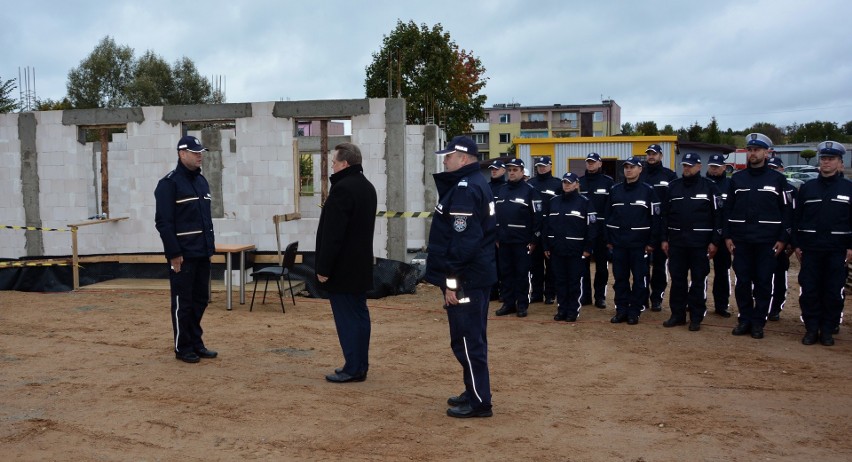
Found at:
[344, 245]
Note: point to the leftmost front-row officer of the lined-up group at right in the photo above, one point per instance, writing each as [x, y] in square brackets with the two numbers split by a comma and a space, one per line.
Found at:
[518, 208]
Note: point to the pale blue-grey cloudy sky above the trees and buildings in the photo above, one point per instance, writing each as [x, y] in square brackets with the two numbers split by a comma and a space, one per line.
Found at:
[674, 62]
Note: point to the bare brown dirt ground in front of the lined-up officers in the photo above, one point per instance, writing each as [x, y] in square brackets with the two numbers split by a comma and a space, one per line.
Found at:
[91, 376]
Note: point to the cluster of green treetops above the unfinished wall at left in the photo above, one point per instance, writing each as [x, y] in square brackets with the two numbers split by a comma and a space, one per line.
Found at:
[111, 77]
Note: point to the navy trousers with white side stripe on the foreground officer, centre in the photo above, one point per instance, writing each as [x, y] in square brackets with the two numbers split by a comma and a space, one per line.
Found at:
[469, 342]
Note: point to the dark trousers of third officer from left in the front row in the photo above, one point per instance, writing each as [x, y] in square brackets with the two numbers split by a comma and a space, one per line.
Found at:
[627, 261]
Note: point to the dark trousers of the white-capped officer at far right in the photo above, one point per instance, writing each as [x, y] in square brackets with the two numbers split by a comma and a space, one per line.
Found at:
[822, 278]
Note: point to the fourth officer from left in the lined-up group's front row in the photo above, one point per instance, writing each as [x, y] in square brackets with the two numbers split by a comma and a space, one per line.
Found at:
[692, 231]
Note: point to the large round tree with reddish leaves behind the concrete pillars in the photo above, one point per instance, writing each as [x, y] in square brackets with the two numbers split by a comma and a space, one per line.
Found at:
[439, 81]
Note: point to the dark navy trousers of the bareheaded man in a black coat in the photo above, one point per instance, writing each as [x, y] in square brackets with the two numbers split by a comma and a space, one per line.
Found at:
[352, 319]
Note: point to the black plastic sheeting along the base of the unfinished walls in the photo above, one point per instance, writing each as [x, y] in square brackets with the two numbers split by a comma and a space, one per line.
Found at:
[390, 277]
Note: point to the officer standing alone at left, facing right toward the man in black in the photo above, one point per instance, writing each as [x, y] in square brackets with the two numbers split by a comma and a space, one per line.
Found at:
[184, 220]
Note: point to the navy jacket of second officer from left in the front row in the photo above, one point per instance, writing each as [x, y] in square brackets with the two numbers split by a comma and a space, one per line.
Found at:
[569, 227]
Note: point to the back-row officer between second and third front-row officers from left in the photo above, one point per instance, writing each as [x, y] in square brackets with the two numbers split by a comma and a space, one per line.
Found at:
[595, 185]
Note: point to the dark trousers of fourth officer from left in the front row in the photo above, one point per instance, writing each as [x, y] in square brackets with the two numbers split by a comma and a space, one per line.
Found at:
[688, 268]
